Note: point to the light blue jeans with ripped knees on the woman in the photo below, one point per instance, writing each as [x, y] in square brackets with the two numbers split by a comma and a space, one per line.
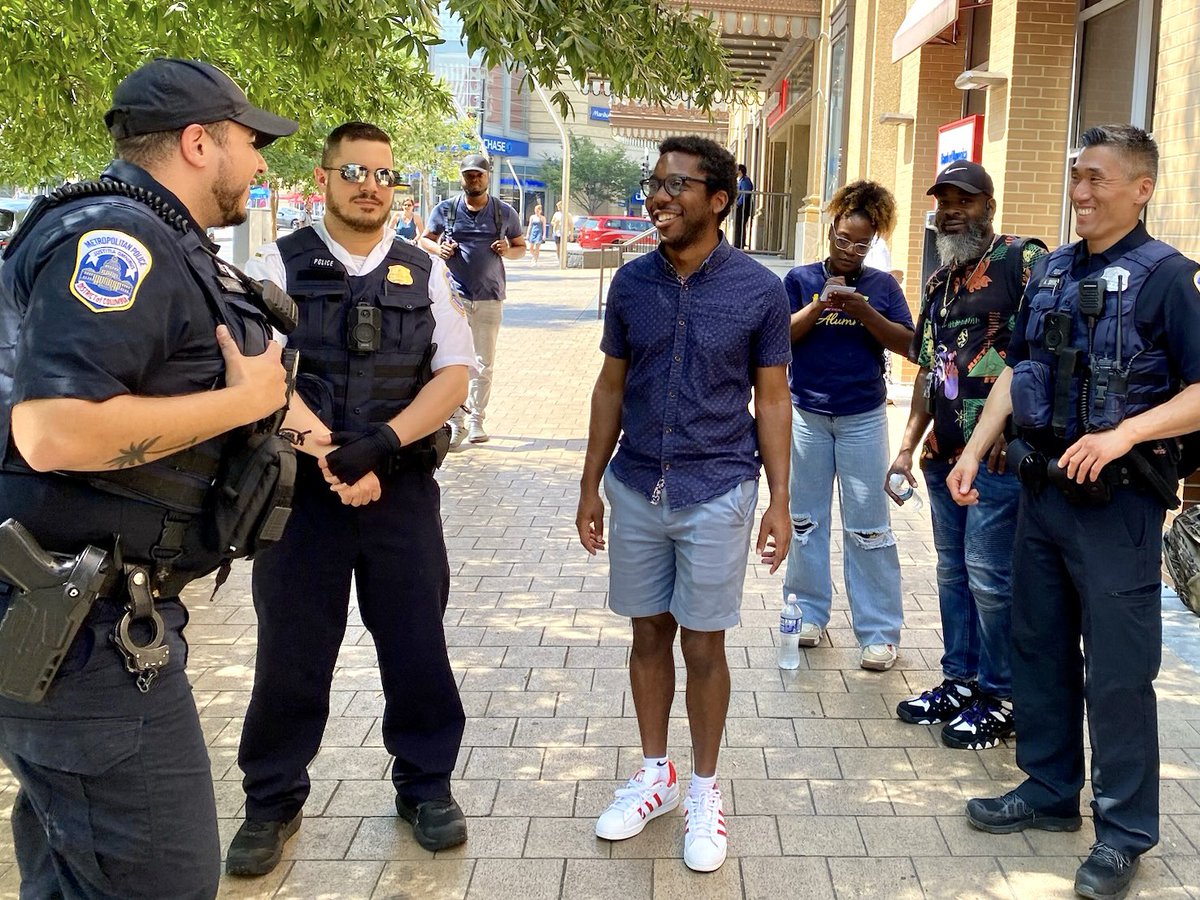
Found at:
[855, 451]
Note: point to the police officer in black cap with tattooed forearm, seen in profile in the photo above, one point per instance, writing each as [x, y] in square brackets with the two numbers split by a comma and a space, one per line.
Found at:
[131, 361]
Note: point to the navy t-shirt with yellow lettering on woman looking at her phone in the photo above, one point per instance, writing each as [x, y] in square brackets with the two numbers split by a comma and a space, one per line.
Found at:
[838, 367]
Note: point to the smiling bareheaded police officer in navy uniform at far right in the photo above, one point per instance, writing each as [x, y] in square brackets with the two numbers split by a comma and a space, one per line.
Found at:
[1106, 375]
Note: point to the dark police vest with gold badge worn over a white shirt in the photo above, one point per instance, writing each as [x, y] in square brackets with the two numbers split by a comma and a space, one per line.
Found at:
[352, 389]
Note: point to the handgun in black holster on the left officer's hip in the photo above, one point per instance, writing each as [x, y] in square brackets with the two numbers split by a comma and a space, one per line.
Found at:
[53, 596]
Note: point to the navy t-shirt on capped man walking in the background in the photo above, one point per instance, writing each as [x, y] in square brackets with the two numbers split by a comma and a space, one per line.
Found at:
[476, 269]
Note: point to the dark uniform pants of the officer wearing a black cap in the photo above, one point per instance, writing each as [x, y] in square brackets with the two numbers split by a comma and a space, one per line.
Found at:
[116, 790]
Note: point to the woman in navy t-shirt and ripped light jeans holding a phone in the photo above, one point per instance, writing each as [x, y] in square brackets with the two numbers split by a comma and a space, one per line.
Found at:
[844, 319]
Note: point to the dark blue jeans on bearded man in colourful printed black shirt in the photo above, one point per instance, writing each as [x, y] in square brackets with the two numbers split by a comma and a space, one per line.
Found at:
[975, 577]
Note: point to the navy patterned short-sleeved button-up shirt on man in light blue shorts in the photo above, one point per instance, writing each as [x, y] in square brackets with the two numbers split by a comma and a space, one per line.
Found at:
[693, 349]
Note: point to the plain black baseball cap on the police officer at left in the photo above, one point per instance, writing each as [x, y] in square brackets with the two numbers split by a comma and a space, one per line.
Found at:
[169, 94]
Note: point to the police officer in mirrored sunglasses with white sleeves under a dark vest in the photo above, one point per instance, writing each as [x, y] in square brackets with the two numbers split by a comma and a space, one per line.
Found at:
[385, 359]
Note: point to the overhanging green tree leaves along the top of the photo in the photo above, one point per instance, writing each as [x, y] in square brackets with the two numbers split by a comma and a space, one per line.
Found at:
[321, 61]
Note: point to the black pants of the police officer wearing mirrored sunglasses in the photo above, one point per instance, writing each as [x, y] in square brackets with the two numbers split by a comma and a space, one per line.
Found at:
[395, 551]
